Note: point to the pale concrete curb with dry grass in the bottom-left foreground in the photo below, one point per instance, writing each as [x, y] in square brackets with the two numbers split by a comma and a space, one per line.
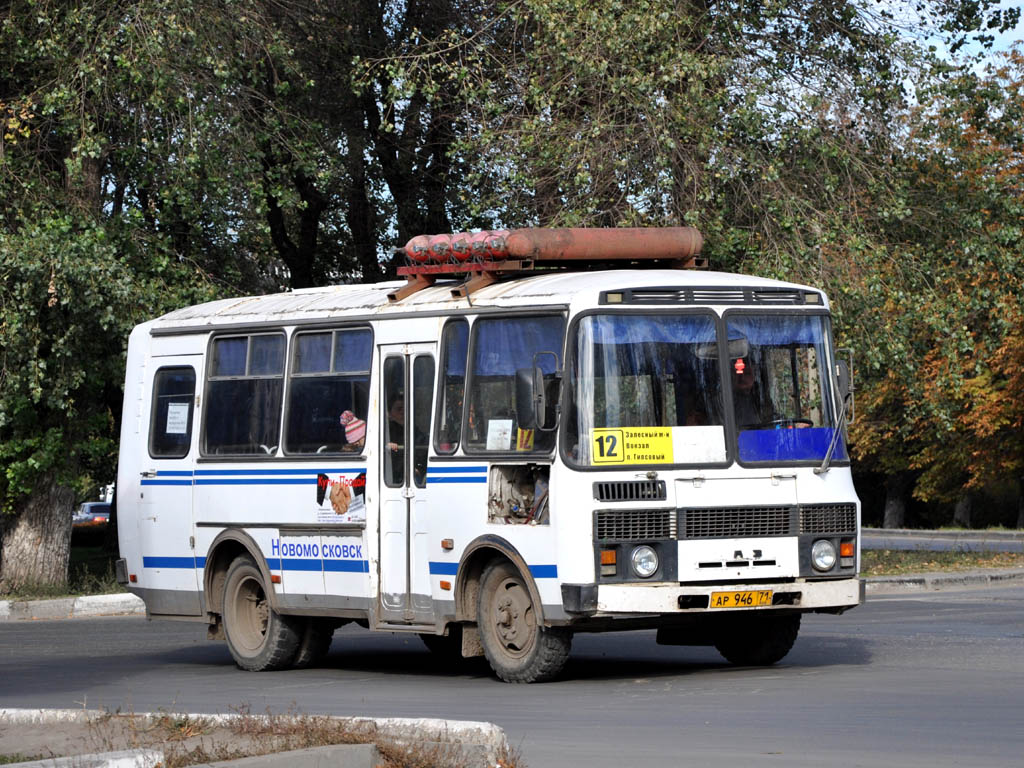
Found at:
[481, 743]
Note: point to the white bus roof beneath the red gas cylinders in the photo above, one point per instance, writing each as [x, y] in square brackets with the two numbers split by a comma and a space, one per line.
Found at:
[551, 289]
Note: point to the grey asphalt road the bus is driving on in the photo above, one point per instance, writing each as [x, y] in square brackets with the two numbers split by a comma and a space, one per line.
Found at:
[912, 679]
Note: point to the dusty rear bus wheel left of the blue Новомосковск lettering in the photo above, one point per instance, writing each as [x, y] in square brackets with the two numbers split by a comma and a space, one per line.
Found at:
[259, 637]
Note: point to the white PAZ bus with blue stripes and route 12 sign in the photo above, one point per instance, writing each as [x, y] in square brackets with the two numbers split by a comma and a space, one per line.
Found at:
[494, 464]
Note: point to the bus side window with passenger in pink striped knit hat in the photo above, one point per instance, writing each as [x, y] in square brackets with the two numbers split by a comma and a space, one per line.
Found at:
[329, 393]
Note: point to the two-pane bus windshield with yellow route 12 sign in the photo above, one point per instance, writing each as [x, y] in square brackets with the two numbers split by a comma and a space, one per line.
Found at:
[648, 390]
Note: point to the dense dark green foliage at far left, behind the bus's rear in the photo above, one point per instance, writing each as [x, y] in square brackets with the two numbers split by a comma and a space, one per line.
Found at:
[71, 292]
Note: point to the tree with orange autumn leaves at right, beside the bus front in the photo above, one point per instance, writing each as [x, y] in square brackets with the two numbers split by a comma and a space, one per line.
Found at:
[949, 406]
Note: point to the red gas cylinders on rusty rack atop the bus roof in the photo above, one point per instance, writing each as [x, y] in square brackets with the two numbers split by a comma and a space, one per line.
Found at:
[483, 258]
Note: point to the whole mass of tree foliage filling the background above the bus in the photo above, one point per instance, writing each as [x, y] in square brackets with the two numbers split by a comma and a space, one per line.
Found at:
[158, 153]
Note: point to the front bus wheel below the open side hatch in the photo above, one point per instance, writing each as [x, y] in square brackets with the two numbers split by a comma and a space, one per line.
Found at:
[519, 649]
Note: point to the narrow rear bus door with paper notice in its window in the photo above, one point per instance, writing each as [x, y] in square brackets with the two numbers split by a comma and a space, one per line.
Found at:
[170, 573]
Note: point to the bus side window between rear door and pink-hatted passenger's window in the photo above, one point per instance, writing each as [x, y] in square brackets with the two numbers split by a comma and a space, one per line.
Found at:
[242, 412]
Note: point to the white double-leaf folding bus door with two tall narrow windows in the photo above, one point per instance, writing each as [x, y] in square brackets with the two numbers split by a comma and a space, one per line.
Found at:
[407, 399]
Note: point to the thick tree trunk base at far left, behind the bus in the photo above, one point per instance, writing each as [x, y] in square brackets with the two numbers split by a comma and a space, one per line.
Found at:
[37, 539]
